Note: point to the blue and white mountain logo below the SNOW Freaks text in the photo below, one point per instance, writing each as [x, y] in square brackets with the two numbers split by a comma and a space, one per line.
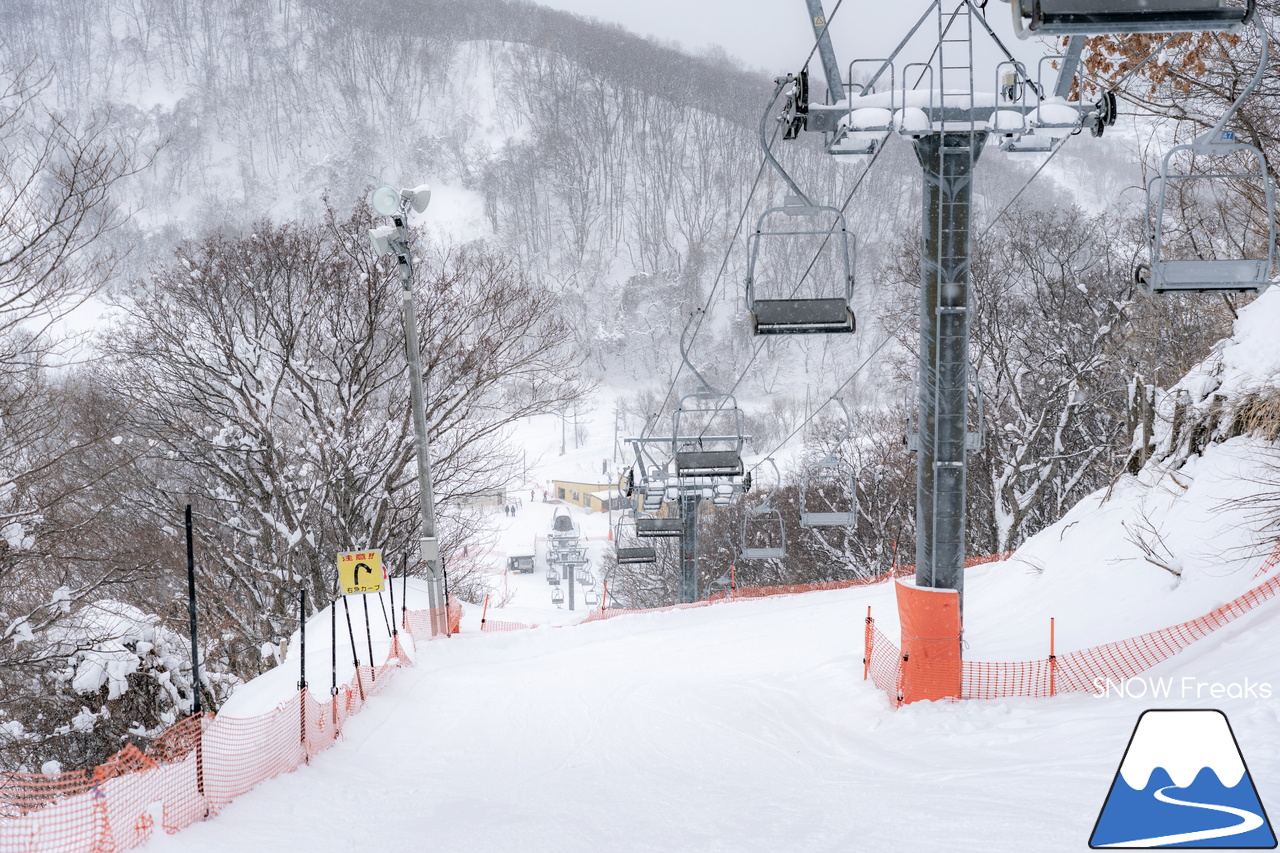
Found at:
[1183, 783]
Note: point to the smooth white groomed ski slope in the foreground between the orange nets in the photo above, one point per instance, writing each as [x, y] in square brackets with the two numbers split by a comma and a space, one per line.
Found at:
[744, 727]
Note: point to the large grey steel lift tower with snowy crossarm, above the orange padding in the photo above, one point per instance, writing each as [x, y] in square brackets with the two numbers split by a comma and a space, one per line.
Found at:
[949, 121]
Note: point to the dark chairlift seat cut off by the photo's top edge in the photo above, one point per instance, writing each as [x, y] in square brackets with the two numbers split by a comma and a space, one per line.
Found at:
[1035, 19]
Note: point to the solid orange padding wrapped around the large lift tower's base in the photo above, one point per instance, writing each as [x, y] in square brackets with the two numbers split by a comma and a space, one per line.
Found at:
[931, 642]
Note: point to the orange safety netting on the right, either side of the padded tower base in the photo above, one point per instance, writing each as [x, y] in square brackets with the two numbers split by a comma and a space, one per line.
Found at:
[1087, 670]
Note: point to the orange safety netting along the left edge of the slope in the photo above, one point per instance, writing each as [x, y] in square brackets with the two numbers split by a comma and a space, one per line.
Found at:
[188, 774]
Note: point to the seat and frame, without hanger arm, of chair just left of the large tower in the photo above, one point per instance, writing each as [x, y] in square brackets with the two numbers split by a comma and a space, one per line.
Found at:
[780, 312]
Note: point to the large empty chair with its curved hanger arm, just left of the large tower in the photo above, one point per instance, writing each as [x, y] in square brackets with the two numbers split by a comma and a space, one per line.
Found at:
[810, 270]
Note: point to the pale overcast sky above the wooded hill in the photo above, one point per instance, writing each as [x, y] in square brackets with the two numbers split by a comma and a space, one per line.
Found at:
[776, 37]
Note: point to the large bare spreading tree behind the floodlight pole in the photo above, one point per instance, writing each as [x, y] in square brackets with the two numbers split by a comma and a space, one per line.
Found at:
[268, 370]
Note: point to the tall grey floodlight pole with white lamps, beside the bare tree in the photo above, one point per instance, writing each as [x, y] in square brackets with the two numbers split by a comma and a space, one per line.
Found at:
[431, 550]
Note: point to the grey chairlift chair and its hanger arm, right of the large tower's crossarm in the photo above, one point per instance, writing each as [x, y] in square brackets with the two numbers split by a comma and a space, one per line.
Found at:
[1188, 259]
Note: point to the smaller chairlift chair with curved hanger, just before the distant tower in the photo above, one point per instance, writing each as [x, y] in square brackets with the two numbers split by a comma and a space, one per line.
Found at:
[707, 428]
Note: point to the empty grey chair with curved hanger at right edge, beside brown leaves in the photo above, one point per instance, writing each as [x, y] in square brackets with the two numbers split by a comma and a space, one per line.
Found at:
[1165, 275]
